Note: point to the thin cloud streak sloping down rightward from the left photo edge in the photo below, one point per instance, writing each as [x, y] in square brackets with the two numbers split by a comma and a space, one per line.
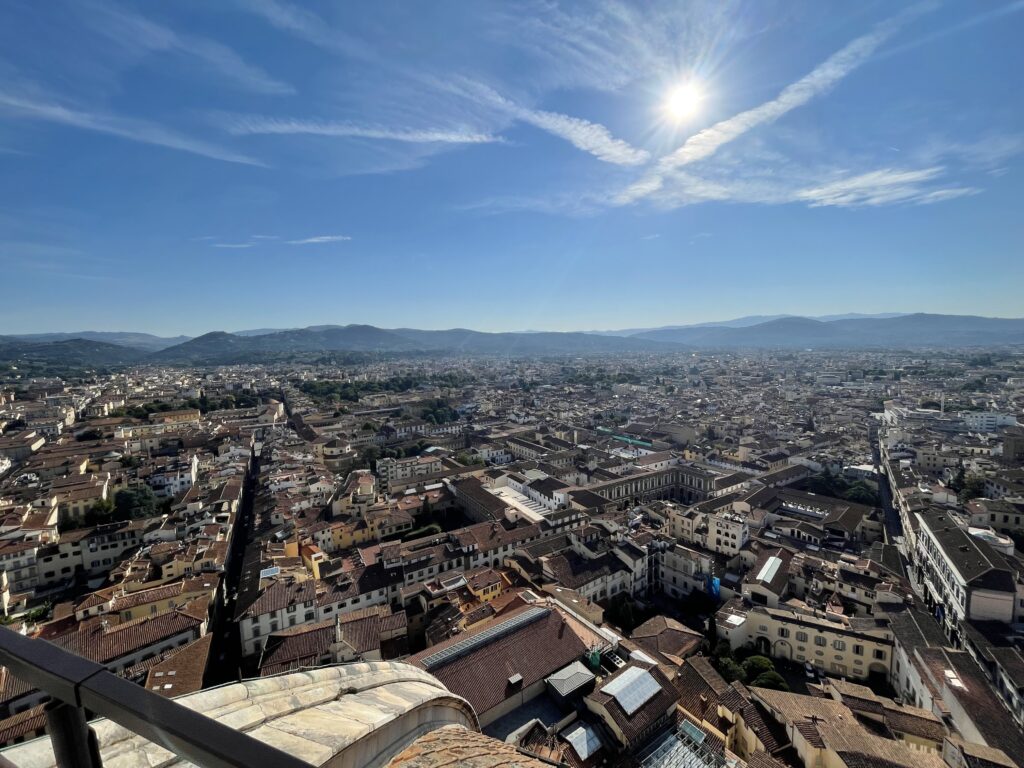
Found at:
[50, 111]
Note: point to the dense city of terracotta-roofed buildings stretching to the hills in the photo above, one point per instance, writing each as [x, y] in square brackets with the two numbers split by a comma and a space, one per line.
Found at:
[585, 552]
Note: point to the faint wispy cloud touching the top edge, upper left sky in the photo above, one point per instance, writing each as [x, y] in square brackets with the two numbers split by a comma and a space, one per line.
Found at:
[133, 30]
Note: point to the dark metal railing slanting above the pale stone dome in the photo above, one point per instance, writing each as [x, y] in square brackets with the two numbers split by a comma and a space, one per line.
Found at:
[79, 687]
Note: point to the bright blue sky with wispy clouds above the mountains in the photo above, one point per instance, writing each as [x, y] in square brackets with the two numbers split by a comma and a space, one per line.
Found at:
[193, 166]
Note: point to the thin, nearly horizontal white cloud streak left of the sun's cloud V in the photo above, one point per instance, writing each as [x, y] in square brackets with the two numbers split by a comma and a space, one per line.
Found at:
[345, 130]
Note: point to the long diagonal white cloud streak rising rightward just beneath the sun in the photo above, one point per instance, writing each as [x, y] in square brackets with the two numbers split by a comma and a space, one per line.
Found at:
[818, 82]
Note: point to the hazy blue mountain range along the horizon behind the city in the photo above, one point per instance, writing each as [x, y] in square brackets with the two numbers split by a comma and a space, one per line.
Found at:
[832, 332]
